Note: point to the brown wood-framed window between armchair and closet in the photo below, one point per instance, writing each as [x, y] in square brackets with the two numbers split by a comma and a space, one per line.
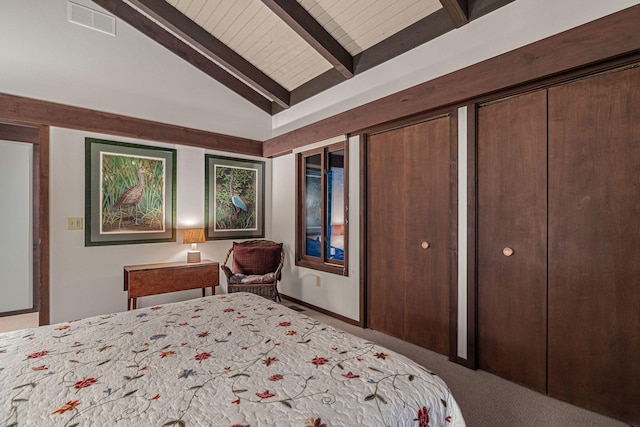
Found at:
[321, 215]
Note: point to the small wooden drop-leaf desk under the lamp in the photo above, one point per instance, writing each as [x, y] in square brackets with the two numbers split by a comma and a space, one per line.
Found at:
[152, 279]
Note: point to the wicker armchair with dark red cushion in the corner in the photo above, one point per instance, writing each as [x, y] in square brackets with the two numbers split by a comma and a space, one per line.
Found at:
[256, 267]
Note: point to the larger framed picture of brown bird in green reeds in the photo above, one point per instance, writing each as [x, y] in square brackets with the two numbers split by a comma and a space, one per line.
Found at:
[130, 193]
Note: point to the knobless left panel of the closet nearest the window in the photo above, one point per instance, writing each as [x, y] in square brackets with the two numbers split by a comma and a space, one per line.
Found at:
[385, 232]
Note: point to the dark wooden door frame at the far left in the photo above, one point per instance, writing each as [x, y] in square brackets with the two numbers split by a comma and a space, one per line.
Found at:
[38, 136]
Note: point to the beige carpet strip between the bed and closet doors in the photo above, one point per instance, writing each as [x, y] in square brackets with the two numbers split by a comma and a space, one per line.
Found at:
[485, 399]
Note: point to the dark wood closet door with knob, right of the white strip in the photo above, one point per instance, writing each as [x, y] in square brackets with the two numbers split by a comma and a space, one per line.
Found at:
[512, 214]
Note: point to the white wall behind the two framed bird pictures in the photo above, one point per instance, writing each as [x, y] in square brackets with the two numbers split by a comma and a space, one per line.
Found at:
[86, 281]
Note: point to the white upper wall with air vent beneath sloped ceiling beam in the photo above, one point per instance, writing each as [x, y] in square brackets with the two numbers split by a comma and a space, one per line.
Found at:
[44, 56]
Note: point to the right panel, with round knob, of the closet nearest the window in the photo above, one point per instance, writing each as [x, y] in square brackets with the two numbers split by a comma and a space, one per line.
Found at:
[427, 183]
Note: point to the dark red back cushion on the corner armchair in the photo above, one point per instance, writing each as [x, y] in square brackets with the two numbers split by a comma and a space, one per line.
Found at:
[259, 259]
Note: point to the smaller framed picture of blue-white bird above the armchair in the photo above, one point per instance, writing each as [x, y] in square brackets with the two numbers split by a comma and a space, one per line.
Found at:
[234, 198]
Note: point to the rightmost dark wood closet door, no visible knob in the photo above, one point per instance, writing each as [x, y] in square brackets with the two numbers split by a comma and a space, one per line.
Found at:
[594, 251]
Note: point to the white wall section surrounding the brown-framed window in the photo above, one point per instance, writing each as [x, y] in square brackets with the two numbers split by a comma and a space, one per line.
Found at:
[333, 292]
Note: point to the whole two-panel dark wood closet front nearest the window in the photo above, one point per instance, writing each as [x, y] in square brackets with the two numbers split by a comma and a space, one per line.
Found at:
[408, 233]
